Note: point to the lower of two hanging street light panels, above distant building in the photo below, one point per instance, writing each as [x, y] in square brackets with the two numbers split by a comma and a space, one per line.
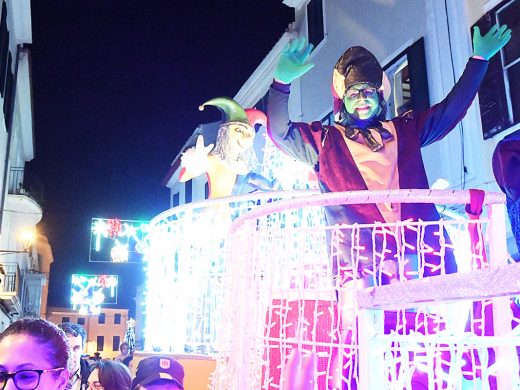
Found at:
[90, 292]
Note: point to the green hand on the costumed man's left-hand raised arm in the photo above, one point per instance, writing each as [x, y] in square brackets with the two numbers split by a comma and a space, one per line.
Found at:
[292, 63]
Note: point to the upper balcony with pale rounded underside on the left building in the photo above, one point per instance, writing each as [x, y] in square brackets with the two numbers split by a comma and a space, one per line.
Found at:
[22, 209]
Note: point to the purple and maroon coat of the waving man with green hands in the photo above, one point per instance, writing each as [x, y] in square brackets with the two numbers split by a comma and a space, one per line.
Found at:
[324, 148]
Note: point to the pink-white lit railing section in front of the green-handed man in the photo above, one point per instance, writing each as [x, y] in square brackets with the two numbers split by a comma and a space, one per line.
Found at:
[277, 295]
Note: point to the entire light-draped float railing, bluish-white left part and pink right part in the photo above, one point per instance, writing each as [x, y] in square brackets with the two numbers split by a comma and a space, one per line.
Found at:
[248, 279]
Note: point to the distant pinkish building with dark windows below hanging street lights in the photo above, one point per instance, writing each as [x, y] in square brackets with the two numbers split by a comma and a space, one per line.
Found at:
[105, 331]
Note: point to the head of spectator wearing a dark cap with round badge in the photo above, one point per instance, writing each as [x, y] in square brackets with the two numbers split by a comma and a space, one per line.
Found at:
[159, 372]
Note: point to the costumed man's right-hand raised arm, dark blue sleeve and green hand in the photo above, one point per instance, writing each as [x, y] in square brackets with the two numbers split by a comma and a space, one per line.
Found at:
[439, 120]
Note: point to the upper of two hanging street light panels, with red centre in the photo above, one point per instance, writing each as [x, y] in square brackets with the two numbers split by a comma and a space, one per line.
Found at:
[117, 241]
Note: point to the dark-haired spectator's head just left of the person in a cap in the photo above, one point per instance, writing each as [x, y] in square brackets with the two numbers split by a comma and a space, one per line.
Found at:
[109, 375]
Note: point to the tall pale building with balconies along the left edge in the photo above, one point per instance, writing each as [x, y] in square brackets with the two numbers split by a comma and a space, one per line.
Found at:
[23, 265]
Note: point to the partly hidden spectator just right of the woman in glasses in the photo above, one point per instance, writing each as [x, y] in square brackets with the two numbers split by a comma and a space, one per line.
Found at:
[79, 369]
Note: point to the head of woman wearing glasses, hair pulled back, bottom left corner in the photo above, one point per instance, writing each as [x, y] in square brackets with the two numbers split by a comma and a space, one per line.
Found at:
[34, 354]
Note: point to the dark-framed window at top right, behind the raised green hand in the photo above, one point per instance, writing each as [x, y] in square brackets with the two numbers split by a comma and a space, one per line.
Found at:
[499, 95]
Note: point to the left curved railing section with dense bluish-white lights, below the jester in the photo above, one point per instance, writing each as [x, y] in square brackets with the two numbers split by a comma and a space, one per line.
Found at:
[184, 266]
